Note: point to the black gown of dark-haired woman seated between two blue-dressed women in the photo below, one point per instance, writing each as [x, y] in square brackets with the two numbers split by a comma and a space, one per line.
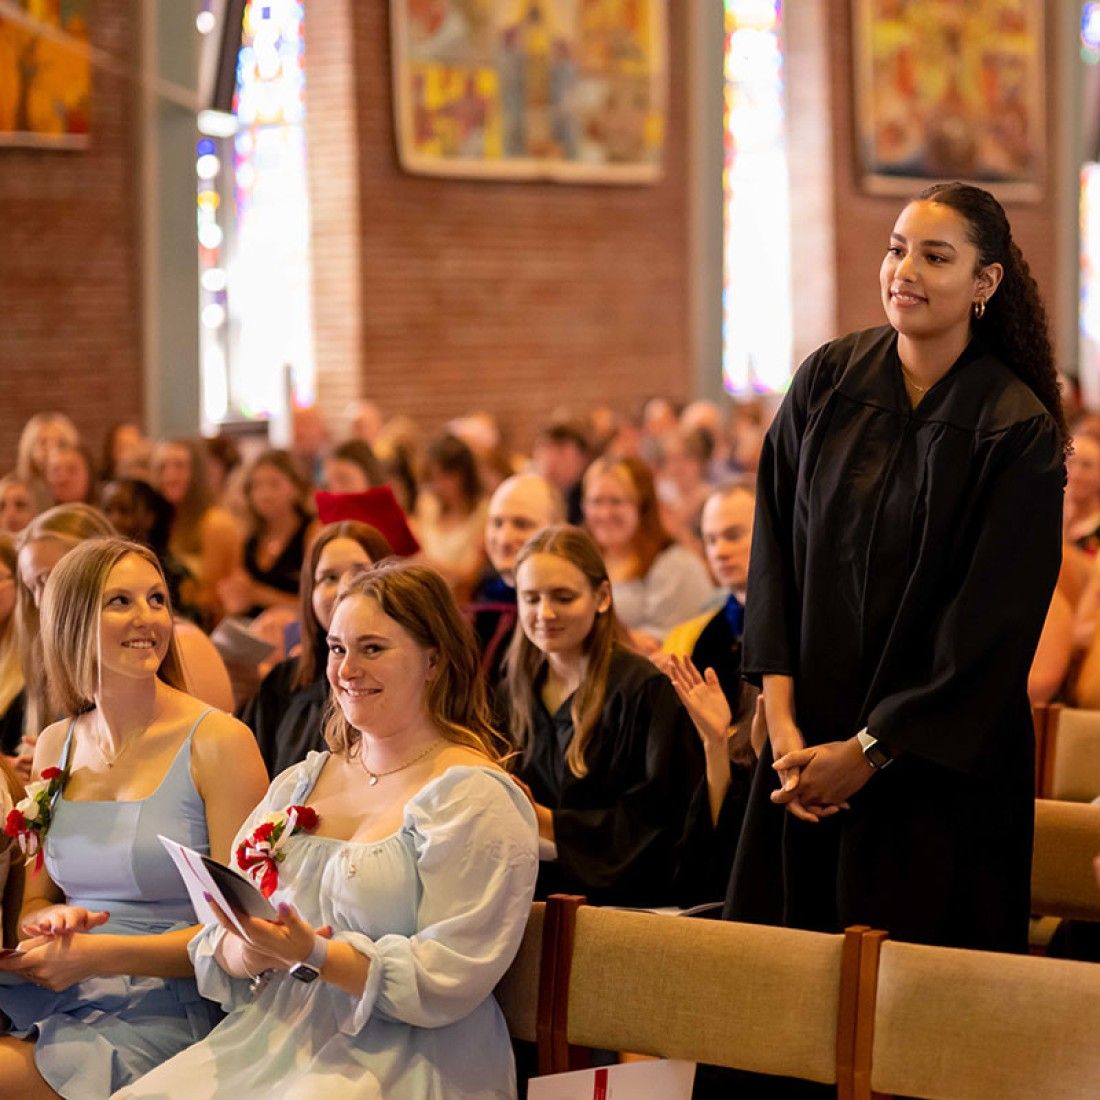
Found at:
[287, 721]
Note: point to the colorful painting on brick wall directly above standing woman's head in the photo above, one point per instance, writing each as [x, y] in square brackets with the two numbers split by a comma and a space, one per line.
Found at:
[951, 90]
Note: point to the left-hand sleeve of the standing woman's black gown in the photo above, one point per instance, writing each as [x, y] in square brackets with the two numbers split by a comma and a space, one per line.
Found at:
[772, 608]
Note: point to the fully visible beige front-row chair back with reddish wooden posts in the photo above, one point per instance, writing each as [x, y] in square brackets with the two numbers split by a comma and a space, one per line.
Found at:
[747, 997]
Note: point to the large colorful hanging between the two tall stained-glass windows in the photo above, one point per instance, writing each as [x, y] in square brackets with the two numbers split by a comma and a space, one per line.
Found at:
[574, 91]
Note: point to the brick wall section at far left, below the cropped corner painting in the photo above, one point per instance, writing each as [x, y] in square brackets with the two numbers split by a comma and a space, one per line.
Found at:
[70, 324]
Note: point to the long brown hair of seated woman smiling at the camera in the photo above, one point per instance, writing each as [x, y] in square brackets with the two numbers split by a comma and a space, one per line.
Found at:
[422, 603]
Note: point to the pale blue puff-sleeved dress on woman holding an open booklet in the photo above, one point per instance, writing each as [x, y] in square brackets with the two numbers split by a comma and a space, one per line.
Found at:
[439, 909]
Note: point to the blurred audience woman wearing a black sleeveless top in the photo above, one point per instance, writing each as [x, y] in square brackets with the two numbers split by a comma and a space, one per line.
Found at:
[282, 526]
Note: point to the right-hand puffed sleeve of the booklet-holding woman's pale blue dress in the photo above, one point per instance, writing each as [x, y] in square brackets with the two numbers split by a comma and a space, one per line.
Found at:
[476, 840]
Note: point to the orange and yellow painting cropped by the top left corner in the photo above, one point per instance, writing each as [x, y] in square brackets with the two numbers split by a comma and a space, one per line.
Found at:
[46, 73]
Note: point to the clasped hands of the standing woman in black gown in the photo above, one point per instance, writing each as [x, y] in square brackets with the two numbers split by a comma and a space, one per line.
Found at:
[817, 783]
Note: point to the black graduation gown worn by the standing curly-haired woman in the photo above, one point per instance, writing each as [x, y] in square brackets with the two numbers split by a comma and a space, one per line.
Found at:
[903, 566]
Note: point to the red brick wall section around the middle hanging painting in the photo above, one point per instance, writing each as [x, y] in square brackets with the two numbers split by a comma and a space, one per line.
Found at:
[515, 299]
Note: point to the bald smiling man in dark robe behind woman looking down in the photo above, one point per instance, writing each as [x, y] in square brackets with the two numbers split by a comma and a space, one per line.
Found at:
[520, 508]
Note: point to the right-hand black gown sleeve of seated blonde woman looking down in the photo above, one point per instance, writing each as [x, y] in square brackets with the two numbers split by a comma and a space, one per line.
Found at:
[629, 852]
